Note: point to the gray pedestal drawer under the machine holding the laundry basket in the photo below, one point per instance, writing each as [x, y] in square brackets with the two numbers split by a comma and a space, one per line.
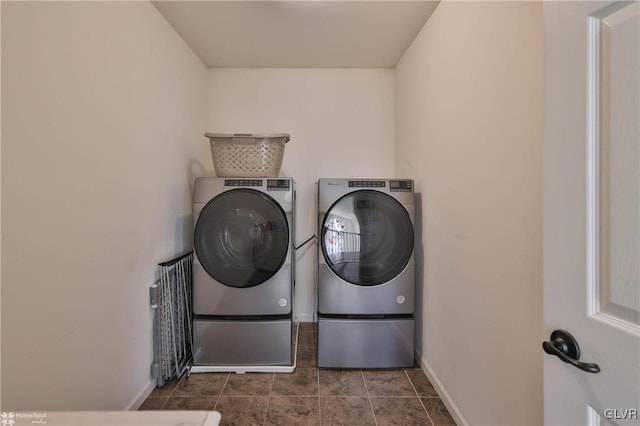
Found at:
[242, 342]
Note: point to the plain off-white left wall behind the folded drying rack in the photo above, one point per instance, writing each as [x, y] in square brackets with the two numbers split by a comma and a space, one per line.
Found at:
[103, 110]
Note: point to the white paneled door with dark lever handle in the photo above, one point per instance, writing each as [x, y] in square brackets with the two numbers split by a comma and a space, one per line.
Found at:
[592, 211]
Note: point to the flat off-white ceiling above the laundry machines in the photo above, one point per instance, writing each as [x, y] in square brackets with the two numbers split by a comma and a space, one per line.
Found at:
[298, 34]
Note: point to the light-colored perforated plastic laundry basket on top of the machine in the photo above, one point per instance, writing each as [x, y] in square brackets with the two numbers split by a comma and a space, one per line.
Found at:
[247, 154]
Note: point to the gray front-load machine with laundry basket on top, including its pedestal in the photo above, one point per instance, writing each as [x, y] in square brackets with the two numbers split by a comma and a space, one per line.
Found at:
[243, 271]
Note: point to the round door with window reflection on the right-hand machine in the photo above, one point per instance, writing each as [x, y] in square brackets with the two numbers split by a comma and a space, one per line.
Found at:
[367, 238]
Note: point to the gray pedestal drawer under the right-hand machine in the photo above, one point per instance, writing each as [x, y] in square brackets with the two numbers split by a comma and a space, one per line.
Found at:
[365, 343]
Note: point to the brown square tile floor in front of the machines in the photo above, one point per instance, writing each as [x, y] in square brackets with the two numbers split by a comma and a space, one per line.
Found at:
[308, 396]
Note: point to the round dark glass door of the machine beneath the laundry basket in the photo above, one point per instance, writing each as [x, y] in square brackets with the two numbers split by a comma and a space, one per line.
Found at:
[241, 238]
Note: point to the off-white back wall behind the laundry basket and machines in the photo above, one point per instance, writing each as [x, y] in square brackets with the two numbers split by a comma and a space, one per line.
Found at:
[341, 123]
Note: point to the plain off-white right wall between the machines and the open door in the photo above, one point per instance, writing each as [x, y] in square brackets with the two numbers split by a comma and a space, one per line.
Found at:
[469, 129]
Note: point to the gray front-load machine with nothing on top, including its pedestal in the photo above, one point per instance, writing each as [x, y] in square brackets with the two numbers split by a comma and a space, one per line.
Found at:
[366, 273]
